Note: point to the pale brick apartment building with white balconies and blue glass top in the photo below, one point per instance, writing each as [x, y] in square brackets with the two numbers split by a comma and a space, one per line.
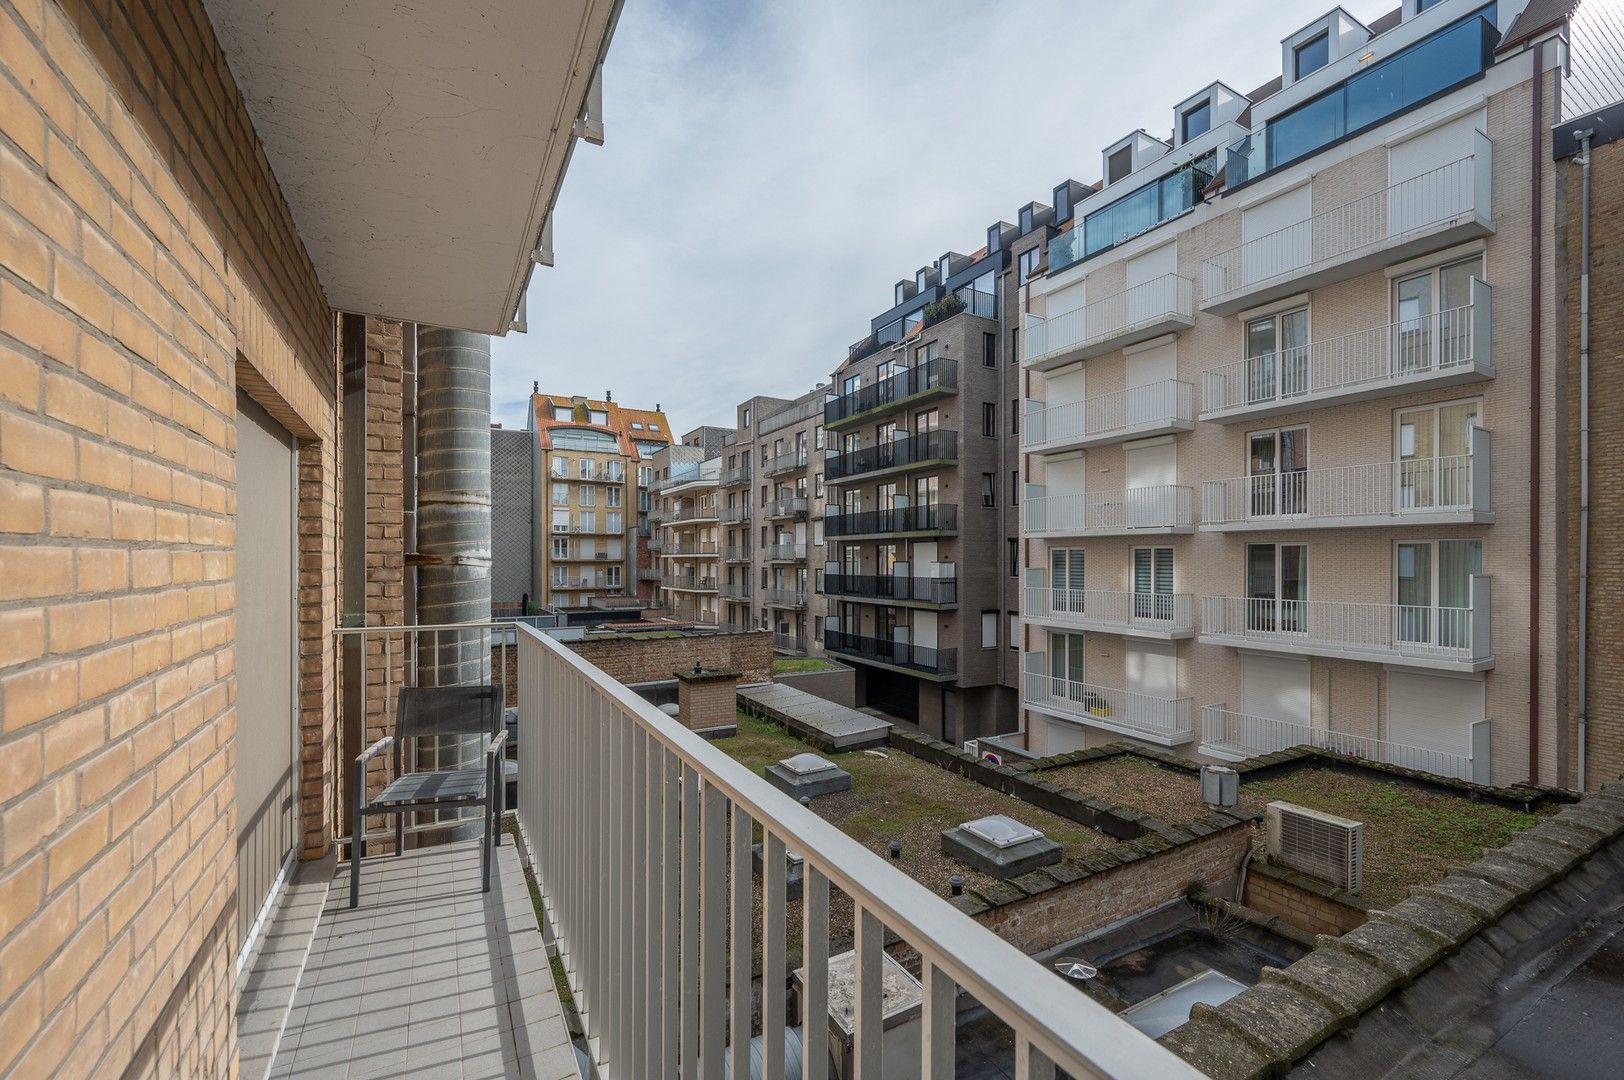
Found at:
[1290, 379]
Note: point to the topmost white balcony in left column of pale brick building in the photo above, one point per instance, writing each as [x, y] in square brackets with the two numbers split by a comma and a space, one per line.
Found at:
[1138, 314]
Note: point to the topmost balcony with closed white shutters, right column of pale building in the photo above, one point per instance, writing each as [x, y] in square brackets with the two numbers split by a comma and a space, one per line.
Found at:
[1427, 214]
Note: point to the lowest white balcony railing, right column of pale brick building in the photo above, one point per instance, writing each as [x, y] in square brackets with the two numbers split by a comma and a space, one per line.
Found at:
[1237, 737]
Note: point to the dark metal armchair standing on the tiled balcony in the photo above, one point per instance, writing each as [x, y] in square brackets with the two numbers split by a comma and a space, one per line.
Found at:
[425, 714]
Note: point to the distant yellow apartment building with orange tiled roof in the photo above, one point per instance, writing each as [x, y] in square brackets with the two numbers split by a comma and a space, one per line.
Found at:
[592, 530]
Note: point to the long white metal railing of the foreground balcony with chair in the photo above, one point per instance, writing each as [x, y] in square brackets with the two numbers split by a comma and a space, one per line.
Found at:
[641, 834]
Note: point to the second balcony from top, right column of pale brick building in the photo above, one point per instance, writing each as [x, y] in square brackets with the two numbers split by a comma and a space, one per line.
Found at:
[1443, 350]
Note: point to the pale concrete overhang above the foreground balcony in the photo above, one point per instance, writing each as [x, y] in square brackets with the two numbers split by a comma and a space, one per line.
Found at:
[420, 144]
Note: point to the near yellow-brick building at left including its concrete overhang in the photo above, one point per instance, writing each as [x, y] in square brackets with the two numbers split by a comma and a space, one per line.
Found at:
[202, 459]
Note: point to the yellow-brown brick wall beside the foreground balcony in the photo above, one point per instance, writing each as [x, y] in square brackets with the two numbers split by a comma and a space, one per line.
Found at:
[149, 269]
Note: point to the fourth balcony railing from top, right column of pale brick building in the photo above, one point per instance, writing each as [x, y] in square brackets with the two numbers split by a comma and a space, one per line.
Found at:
[1412, 636]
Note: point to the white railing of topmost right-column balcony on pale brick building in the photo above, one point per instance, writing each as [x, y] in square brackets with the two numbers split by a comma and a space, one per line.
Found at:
[1414, 207]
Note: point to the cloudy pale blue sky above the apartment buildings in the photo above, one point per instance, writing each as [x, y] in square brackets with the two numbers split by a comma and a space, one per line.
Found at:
[772, 170]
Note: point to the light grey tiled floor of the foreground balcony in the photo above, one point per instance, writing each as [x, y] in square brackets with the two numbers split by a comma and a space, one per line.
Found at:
[428, 977]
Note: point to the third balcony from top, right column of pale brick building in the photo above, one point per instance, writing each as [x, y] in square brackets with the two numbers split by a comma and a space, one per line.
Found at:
[1417, 491]
